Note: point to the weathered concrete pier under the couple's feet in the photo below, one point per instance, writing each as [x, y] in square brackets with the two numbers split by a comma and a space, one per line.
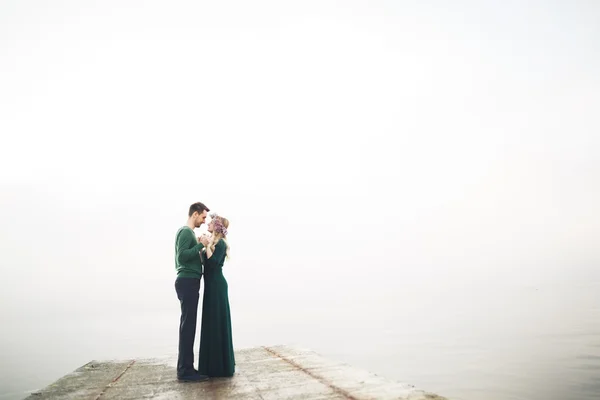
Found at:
[267, 373]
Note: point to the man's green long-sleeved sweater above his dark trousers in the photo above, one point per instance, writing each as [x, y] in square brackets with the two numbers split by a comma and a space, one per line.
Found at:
[187, 254]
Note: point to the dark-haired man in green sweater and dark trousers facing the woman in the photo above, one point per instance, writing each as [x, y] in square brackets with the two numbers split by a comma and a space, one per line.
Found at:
[189, 271]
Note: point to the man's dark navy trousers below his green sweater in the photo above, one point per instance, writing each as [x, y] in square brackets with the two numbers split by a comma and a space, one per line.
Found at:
[188, 293]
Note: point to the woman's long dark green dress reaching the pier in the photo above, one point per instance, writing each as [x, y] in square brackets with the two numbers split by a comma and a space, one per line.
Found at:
[216, 342]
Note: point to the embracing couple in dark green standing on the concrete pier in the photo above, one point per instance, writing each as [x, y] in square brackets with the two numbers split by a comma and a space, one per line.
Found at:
[192, 253]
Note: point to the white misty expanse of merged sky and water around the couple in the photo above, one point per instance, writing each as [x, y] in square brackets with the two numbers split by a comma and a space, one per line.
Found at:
[412, 186]
